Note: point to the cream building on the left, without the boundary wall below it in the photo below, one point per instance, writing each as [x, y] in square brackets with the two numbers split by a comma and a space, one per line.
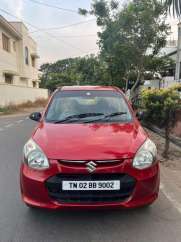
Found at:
[18, 55]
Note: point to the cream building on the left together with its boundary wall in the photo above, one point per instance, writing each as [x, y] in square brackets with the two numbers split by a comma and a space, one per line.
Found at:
[19, 81]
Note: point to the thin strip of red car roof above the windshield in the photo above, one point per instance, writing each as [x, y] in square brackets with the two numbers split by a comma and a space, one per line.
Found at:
[89, 88]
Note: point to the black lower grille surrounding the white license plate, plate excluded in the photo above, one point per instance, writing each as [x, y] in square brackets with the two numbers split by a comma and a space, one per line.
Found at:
[54, 186]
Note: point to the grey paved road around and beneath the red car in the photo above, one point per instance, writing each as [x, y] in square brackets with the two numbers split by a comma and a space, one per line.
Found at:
[160, 223]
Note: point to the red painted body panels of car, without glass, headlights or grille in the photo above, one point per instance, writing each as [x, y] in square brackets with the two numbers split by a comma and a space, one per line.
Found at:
[89, 142]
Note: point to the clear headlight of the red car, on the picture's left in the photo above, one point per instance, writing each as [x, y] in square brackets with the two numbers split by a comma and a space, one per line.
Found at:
[34, 156]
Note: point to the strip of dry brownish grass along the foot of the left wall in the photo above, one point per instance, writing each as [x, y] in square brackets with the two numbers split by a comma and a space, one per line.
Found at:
[11, 108]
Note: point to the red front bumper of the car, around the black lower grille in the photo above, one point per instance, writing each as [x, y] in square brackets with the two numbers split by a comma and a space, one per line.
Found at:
[35, 192]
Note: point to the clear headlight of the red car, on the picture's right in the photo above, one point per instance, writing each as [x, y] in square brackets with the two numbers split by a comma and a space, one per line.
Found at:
[145, 156]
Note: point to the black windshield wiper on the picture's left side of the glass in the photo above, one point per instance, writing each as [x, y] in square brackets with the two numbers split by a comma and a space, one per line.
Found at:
[77, 117]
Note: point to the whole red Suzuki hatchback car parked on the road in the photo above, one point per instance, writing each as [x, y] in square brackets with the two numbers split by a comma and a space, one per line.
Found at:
[89, 151]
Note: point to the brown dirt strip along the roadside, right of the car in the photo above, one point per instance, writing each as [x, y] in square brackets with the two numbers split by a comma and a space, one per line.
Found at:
[174, 161]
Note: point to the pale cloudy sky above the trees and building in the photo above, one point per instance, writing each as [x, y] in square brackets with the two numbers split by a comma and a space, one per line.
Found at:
[59, 43]
